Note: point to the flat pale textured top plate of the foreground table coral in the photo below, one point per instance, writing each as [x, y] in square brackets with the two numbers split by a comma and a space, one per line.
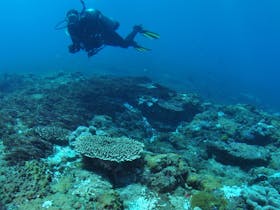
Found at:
[107, 148]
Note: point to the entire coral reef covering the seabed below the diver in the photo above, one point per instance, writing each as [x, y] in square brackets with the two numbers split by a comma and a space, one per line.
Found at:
[73, 142]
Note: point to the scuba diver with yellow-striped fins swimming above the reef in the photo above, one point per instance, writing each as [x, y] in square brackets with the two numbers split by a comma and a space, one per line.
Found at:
[91, 31]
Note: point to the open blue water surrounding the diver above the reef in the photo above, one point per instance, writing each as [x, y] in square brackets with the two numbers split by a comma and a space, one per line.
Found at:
[227, 51]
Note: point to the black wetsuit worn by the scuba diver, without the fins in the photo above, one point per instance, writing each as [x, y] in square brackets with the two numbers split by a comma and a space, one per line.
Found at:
[93, 31]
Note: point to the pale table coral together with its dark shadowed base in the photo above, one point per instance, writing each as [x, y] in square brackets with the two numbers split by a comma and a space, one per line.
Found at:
[118, 158]
